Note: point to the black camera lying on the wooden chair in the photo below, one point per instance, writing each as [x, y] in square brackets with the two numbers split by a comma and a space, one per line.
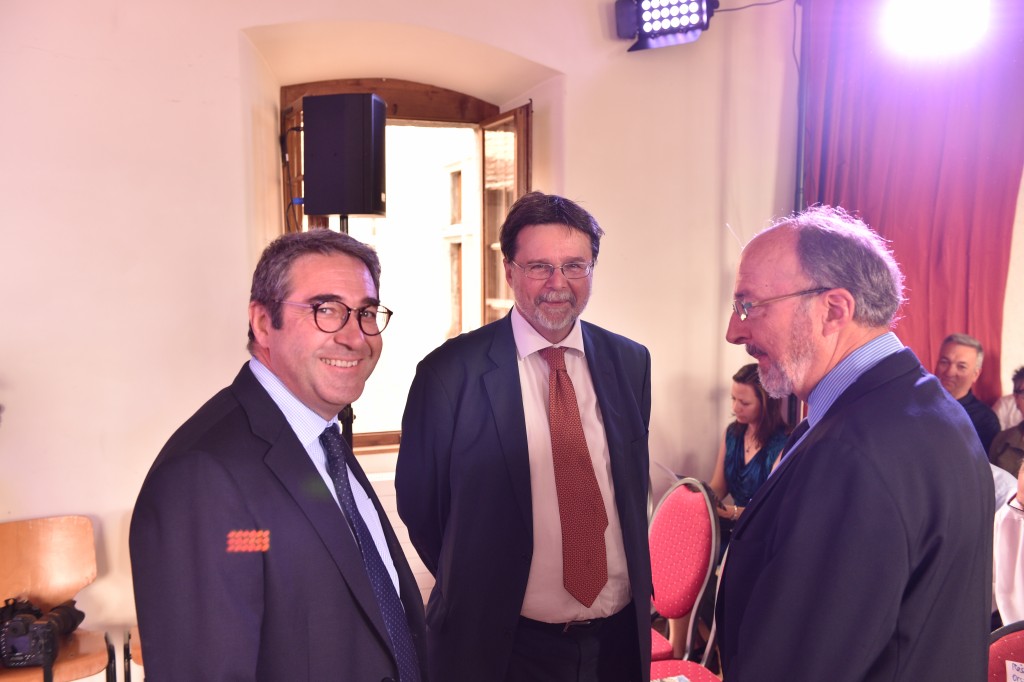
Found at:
[32, 638]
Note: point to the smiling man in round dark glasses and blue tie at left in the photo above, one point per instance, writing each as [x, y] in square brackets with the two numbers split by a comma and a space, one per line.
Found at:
[260, 550]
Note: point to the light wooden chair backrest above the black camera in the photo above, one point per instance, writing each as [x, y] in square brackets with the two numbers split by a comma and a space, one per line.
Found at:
[47, 561]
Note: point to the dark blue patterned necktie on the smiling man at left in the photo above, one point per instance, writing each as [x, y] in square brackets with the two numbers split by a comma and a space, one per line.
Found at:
[388, 599]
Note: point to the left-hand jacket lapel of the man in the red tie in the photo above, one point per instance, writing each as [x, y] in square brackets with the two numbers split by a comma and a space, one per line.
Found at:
[505, 395]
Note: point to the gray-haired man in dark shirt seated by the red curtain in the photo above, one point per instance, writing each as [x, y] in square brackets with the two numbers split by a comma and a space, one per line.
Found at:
[958, 368]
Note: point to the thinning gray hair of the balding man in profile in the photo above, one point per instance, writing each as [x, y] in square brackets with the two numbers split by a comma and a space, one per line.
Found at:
[839, 251]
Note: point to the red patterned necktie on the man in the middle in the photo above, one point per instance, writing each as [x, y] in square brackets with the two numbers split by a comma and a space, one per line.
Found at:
[581, 508]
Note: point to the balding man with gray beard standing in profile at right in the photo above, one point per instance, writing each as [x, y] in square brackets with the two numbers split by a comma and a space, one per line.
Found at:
[867, 557]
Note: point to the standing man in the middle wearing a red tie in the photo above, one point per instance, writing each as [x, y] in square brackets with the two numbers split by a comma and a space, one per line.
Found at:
[523, 476]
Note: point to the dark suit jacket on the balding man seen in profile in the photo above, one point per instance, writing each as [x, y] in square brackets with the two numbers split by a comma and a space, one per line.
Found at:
[868, 556]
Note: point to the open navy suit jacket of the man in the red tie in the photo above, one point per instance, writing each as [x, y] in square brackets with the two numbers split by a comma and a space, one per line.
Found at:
[464, 492]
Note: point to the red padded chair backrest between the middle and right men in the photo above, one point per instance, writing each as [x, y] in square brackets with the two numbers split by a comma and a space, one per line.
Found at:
[685, 541]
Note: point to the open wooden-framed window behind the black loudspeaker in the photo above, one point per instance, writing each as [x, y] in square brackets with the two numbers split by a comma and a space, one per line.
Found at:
[455, 250]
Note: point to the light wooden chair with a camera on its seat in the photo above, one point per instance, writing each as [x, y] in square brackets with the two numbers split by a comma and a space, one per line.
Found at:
[48, 562]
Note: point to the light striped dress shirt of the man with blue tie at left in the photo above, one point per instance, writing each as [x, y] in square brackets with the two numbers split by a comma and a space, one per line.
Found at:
[308, 427]
